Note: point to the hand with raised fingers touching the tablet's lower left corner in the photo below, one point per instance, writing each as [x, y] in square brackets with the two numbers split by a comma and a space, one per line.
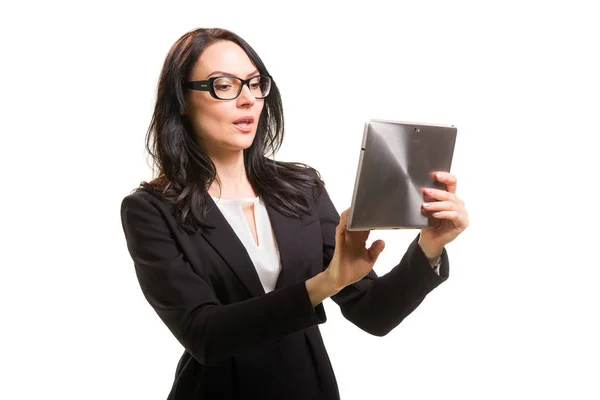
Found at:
[351, 261]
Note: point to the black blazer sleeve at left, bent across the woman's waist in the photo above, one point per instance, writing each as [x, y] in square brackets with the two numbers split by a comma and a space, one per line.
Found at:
[186, 303]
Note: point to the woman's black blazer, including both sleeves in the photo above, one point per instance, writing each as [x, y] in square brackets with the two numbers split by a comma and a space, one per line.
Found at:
[239, 342]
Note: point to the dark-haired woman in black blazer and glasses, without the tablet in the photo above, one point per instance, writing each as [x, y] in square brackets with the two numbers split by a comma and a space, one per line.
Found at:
[236, 252]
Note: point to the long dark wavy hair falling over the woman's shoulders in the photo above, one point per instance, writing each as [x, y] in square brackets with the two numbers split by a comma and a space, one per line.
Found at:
[185, 172]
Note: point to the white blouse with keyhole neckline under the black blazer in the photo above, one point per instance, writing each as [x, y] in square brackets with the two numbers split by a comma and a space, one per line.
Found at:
[265, 256]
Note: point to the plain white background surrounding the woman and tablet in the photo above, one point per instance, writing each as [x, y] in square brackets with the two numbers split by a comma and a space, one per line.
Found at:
[518, 317]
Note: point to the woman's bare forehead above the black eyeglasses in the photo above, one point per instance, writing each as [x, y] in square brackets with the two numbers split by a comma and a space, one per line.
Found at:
[223, 56]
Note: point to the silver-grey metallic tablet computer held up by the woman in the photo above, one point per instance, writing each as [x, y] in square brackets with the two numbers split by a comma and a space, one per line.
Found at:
[397, 160]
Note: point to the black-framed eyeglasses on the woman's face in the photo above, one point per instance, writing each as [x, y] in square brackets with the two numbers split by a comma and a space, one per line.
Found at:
[230, 87]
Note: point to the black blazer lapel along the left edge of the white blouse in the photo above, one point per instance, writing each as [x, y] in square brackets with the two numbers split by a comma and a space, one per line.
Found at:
[225, 241]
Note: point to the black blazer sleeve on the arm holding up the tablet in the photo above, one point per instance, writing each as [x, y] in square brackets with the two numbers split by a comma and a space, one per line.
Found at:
[378, 304]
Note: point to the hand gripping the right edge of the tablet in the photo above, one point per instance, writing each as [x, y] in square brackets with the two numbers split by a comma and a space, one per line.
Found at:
[448, 216]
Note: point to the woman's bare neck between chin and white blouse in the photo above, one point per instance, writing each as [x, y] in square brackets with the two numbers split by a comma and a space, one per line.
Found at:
[231, 174]
